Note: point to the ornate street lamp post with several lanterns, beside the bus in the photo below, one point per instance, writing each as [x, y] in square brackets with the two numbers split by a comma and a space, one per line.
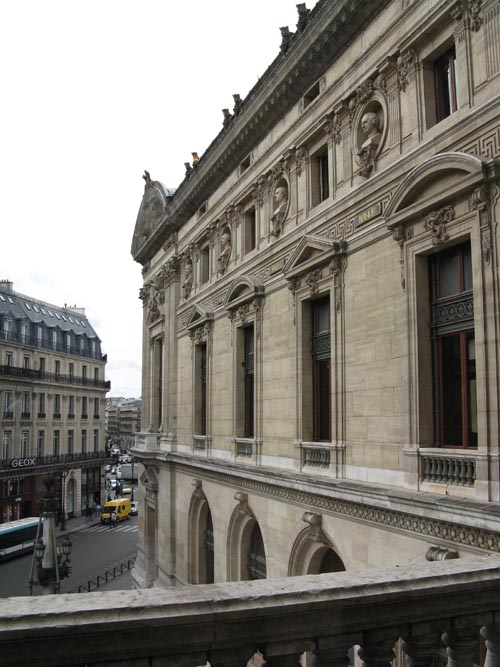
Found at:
[51, 561]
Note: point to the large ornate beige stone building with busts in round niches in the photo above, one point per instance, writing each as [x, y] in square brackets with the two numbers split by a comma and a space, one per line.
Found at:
[321, 297]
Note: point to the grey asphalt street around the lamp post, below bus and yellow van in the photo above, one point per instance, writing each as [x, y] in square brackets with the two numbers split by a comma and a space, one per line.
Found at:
[95, 548]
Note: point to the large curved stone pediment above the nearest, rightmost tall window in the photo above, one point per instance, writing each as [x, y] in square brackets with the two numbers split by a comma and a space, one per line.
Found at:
[442, 177]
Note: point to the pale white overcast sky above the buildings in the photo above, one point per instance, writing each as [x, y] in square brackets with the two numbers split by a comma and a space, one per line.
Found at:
[93, 92]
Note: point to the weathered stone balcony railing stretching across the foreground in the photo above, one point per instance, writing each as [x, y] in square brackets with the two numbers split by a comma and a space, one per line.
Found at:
[431, 611]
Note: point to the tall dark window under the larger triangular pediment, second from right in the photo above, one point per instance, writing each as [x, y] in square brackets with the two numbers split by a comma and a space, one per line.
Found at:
[321, 370]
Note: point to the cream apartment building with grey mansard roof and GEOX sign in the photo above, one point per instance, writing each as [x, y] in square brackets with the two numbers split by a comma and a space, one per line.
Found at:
[53, 395]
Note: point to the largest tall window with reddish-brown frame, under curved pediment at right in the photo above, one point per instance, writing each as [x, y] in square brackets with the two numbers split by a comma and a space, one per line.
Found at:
[453, 347]
